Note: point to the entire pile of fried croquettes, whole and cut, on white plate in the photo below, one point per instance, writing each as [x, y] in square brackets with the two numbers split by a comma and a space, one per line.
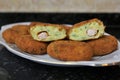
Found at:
[81, 42]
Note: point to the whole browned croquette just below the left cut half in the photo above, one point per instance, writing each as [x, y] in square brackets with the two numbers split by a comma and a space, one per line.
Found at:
[27, 44]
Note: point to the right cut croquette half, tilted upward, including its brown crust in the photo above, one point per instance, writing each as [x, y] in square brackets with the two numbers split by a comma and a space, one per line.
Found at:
[86, 30]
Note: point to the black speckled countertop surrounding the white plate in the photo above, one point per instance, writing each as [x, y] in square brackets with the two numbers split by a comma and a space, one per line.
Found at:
[22, 69]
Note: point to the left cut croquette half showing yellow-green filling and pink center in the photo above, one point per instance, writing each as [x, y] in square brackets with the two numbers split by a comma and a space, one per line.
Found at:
[47, 32]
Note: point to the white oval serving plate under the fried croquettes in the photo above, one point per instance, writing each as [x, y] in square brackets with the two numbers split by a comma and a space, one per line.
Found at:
[107, 60]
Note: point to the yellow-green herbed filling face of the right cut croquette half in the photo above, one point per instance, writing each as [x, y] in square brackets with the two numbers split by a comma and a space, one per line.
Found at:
[87, 31]
